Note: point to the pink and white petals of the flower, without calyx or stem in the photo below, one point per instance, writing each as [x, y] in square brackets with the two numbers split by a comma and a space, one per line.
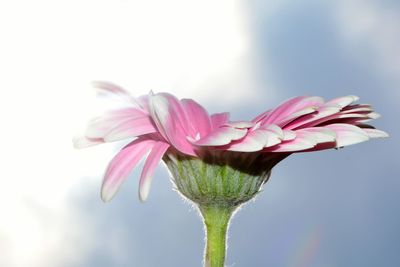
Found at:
[160, 122]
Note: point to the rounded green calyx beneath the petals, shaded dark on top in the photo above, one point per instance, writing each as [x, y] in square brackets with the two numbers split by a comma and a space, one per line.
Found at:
[219, 177]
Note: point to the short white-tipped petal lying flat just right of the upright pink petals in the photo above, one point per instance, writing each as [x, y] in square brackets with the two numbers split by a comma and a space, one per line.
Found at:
[222, 136]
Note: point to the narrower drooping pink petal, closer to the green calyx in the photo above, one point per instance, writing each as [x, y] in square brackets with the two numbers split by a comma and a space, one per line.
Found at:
[149, 167]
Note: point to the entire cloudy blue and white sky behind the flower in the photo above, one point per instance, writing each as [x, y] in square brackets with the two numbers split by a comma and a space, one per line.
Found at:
[325, 209]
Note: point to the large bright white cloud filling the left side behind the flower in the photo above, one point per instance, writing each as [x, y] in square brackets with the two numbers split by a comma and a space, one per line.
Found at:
[50, 52]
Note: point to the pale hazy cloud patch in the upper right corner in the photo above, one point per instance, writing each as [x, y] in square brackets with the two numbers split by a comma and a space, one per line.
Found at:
[374, 26]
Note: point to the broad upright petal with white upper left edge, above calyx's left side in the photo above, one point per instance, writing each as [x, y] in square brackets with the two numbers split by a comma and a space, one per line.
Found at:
[171, 121]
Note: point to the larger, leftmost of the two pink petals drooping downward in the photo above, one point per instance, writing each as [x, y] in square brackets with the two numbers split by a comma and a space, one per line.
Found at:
[122, 164]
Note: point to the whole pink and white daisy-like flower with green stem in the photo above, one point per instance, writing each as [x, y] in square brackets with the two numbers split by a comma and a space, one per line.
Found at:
[216, 163]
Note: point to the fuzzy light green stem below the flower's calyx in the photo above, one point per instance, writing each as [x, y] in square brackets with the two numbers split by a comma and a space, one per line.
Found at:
[216, 220]
